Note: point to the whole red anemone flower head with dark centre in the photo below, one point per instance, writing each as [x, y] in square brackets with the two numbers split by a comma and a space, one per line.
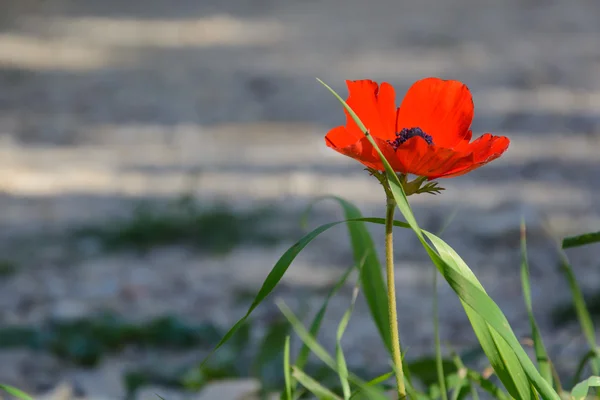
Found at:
[428, 135]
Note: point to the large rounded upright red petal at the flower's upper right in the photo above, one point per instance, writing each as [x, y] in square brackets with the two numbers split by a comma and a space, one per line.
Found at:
[442, 109]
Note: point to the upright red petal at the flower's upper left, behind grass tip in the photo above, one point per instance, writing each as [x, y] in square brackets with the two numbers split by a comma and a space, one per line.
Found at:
[375, 106]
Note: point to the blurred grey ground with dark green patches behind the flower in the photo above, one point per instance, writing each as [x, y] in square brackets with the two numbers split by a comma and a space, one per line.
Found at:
[156, 157]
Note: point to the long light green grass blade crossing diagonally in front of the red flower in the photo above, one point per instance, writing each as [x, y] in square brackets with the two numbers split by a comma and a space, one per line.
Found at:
[516, 370]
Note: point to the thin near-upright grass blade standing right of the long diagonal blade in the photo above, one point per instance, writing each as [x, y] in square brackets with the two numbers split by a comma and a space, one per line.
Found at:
[538, 344]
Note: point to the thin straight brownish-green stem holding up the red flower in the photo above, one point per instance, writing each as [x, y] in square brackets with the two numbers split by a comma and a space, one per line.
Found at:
[389, 262]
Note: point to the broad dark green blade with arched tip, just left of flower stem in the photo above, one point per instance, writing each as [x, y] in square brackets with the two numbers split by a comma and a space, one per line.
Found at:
[371, 275]
